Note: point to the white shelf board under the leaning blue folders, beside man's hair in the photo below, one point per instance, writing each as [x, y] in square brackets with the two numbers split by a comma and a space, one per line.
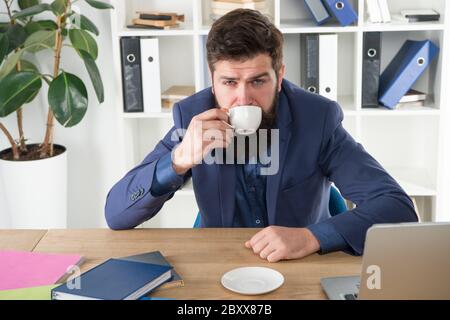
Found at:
[309, 26]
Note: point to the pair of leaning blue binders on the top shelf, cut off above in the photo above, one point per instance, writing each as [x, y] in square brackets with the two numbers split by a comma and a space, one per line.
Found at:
[323, 10]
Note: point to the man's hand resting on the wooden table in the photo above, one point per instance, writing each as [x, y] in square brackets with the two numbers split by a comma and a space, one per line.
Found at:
[277, 243]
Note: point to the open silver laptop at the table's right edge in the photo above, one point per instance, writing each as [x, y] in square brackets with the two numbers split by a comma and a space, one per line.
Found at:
[401, 261]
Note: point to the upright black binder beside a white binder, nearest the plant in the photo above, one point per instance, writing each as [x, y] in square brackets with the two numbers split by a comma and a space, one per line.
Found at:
[131, 74]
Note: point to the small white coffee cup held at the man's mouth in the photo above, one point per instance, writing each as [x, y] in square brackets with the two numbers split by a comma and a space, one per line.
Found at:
[245, 119]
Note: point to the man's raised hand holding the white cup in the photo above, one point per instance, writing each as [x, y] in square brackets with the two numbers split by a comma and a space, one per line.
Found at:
[206, 131]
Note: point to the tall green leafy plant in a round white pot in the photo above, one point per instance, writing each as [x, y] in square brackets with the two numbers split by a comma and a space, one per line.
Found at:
[34, 176]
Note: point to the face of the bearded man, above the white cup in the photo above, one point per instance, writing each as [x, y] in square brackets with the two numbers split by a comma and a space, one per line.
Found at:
[250, 82]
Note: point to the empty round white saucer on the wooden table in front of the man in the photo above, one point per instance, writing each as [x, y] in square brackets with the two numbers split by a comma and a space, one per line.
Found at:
[252, 280]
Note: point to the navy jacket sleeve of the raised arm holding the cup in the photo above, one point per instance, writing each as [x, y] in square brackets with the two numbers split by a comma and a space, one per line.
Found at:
[130, 201]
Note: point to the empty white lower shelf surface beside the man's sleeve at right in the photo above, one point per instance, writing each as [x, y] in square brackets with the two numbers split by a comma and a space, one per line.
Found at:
[415, 181]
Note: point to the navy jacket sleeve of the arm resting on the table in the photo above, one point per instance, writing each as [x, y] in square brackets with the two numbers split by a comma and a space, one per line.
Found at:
[361, 179]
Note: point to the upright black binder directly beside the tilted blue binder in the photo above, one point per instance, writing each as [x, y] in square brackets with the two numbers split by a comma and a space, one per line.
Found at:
[371, 69]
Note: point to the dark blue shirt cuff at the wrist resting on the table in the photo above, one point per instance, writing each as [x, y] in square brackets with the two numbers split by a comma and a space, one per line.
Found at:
[329, 238]
